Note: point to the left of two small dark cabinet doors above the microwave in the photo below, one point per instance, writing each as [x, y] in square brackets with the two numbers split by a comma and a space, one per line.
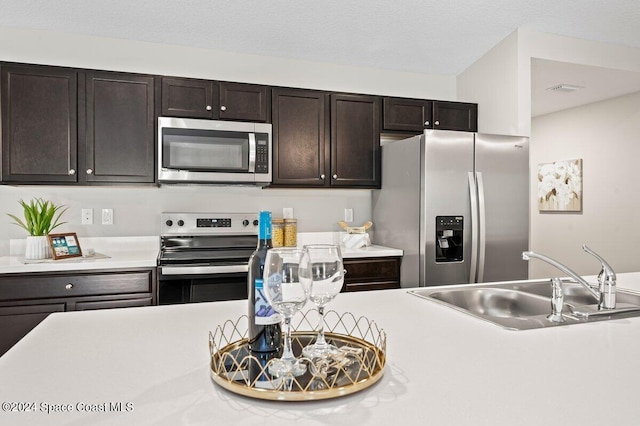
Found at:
[182, 97]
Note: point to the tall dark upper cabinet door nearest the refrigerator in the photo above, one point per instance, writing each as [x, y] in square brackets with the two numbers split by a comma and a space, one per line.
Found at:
[355, 141]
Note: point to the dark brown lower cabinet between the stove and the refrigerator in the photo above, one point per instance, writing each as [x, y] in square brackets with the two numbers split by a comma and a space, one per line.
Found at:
[372, 273]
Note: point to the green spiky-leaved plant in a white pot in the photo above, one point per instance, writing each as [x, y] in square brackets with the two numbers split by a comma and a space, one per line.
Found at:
[40, 218]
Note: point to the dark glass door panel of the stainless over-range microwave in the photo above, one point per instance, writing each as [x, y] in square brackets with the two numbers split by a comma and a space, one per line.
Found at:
[207, 150]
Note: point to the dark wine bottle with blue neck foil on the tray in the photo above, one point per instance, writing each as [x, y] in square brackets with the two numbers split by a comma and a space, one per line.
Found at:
[264, 322]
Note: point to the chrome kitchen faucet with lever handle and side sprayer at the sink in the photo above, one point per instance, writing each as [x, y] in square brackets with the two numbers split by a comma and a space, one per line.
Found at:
[605, 294]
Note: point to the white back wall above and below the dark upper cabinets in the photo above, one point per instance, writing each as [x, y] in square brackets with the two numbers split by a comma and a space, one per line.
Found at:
[137, 209]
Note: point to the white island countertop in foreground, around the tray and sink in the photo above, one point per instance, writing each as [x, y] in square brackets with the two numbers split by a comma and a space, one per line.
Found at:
[443, 368]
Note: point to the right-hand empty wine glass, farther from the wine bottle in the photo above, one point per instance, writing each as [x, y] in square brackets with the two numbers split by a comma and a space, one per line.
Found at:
[322, 272]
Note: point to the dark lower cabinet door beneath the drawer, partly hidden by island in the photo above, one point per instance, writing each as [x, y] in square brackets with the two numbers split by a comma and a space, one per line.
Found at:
[17, 321]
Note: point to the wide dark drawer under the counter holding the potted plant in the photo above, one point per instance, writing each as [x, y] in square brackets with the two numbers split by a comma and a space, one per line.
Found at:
[37, 286]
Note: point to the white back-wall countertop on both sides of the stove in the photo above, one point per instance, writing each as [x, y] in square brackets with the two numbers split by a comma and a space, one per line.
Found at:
[142, 252]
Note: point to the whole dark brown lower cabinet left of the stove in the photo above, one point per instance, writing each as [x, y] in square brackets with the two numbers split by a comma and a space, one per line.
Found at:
[27, 299]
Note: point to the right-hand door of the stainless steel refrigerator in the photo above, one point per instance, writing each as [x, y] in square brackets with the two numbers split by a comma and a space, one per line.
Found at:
[502, 173]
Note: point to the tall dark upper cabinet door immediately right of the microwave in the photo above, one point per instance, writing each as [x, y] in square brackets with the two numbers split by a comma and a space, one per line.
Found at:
[300, 137]
